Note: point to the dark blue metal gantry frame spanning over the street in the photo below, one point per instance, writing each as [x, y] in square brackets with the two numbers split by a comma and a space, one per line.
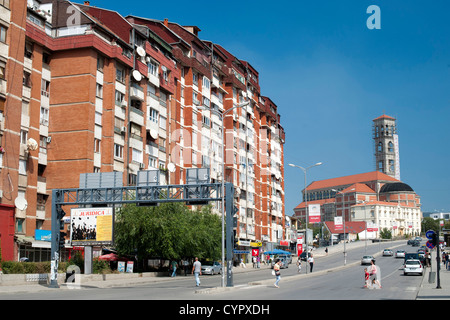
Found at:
[142, 195]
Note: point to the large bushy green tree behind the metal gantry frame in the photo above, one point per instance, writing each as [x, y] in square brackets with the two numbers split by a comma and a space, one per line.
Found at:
[169, 231]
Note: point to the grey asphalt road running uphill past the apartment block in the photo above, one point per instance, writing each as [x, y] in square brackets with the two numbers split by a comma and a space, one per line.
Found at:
[339, 284]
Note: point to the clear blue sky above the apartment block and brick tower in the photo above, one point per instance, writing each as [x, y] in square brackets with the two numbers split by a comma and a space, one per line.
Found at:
[330, 76]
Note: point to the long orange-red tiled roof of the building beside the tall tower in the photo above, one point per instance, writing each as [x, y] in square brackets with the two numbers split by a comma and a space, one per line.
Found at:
[349, 180]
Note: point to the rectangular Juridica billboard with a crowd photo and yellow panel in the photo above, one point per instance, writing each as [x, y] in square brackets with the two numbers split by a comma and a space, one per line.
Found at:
[91, 226]
